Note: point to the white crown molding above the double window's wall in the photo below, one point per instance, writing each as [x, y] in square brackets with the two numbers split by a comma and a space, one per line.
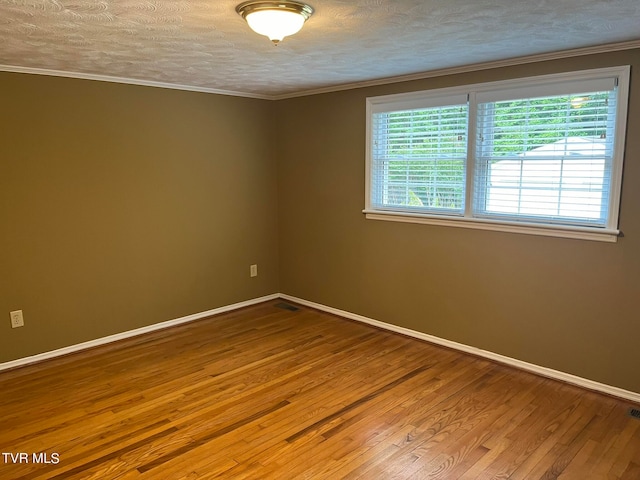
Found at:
[541, 57]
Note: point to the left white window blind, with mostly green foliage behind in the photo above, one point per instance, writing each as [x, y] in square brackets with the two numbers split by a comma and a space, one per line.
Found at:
[419, 158]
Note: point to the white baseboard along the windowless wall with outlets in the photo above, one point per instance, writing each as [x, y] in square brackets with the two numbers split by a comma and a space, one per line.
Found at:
[131, 333]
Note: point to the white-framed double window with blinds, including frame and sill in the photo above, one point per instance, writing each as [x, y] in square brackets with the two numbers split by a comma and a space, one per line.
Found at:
[541, 155]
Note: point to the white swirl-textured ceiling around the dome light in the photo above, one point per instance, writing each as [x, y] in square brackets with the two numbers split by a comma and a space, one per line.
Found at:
[206, 45]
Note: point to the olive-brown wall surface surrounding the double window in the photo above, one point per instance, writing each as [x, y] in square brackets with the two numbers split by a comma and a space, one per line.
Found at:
[571, 305]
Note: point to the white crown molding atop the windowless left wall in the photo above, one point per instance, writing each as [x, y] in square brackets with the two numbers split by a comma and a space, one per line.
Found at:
[129, 81]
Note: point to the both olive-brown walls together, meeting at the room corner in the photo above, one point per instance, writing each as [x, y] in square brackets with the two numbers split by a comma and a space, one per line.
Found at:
[122, 206]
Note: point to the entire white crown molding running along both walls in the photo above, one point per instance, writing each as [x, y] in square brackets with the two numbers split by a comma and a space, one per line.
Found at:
[576, 52]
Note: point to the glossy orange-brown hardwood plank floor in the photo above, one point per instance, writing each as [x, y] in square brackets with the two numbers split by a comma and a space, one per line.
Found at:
[267, 393]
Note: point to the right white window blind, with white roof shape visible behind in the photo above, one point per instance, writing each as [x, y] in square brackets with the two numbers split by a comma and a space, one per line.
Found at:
[546, 159]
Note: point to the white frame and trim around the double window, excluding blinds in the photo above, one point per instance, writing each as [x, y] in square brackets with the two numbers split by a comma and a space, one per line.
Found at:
[608, 233]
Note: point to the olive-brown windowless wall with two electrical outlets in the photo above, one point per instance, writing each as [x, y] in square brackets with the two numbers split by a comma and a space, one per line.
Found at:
[123, 206]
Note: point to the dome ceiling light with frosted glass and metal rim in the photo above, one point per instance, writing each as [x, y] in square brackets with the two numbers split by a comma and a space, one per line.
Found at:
[276, 20]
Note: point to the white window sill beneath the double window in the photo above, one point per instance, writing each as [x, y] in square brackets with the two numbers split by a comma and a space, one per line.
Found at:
[581, 233]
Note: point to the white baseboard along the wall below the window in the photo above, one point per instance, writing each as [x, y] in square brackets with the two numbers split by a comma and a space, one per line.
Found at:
[530, 367]
